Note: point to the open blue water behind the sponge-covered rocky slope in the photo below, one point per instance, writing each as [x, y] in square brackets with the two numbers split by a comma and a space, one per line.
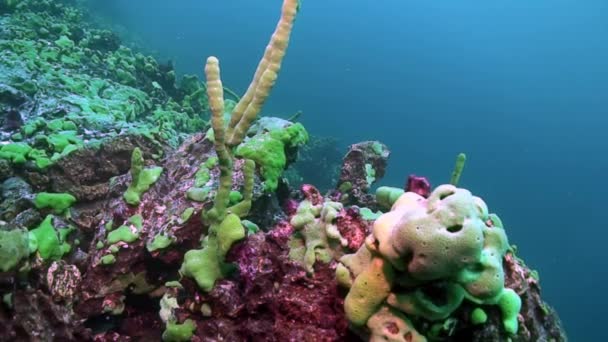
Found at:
[520, 86]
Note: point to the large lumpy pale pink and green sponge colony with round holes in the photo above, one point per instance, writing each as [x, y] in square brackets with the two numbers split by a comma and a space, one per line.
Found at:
[422, 260]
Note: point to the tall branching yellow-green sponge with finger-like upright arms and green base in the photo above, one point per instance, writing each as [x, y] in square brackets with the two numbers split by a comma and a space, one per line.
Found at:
[207, 265]
